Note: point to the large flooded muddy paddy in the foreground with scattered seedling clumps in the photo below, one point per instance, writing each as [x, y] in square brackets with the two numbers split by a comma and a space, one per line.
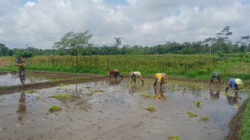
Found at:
[112, 110]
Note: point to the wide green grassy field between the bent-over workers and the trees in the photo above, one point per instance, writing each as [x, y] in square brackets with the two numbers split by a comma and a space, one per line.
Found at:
[190, 66]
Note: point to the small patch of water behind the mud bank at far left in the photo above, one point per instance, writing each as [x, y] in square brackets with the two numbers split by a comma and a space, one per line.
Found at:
[13, 79]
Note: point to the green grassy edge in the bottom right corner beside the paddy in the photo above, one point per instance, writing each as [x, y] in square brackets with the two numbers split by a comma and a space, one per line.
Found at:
[244, 132]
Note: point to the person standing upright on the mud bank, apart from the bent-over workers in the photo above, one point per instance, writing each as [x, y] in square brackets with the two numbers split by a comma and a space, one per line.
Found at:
[21, 68]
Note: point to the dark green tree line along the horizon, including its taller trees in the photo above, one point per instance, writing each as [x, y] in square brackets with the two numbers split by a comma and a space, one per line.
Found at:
[78, 44]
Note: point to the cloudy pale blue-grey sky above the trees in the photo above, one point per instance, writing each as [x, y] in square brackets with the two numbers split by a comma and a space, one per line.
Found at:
[40, 23]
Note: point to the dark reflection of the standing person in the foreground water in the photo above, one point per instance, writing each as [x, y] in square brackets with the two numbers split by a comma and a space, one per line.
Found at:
[22, 106]
